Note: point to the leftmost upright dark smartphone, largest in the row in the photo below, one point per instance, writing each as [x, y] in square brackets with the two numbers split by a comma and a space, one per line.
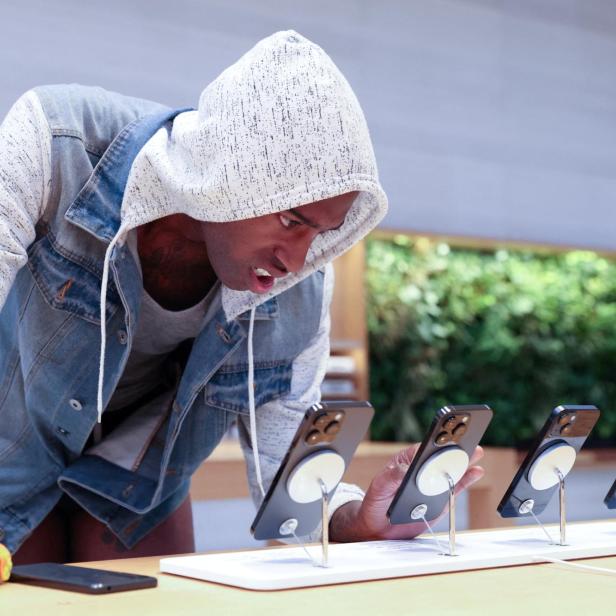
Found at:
[328, 427]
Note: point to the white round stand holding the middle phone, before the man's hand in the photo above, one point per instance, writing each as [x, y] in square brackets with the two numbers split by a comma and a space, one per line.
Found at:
[440, 473]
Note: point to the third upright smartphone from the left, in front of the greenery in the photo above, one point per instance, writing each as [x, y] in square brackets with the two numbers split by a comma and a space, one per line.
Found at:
[566, 424]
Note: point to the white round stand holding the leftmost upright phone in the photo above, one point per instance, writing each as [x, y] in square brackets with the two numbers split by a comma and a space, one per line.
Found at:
[313, 478]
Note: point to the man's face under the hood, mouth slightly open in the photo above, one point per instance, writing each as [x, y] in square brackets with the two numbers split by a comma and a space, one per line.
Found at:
[250, 254]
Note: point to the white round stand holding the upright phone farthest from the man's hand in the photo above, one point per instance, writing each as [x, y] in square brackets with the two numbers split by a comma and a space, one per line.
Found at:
[551, 467]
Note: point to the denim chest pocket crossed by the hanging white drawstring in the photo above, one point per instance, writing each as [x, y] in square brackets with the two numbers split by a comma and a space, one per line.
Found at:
[228, 388]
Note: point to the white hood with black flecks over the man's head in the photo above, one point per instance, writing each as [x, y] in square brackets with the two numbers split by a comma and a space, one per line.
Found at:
[278, 129]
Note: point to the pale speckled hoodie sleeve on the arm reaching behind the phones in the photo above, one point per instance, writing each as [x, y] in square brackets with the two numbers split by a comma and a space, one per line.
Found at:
[278, 420]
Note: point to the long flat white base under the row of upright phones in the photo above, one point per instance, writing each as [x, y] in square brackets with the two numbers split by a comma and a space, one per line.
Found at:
[275, 569]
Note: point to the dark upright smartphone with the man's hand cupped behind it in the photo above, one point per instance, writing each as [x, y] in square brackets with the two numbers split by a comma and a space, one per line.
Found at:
[458, 427]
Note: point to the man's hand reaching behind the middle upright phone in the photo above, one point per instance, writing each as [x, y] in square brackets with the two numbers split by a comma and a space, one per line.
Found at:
[367, 520]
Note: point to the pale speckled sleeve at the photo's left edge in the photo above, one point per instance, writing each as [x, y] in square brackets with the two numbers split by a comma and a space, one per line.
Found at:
[25, 177]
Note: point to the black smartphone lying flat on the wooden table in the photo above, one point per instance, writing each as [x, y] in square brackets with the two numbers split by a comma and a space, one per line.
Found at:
[79, 579]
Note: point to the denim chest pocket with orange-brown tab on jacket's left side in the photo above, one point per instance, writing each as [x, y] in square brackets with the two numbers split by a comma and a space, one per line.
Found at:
[67, 284]
